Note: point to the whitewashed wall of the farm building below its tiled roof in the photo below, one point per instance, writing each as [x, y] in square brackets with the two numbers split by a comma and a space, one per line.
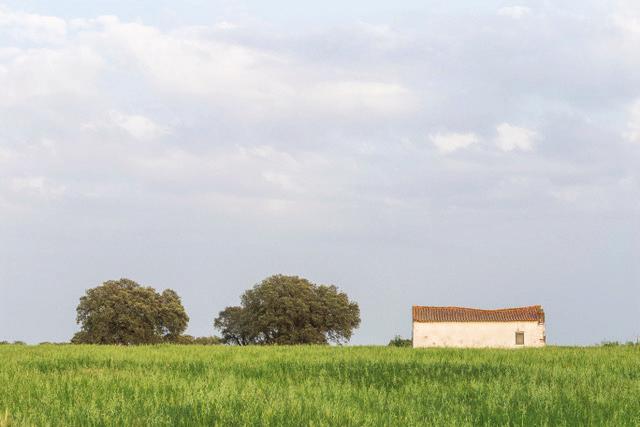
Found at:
[477, 334]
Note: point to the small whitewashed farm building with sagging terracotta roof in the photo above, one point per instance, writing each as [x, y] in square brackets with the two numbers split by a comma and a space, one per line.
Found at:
[472, 327]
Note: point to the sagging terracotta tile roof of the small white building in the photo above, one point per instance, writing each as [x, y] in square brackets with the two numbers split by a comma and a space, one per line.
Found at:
[533, 313]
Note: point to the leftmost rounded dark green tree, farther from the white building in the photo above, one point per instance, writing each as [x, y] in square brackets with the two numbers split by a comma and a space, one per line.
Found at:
[124, 312]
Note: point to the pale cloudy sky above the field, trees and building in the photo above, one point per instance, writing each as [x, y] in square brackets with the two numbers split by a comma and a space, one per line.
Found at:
[477, 153]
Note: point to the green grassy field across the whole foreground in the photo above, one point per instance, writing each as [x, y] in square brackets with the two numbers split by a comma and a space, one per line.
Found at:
[218, 385]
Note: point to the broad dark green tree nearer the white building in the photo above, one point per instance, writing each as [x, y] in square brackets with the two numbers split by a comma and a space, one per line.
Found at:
[289, 310]
